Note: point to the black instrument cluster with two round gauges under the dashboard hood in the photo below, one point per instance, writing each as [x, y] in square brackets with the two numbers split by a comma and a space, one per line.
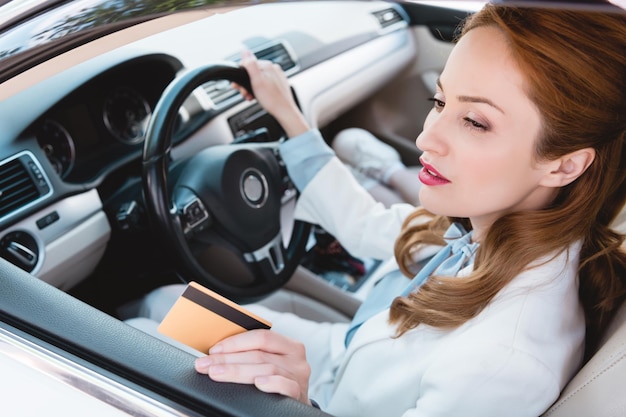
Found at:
[103, 123]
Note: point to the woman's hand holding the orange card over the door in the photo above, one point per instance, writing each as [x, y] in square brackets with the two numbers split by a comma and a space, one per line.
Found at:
[270, 361]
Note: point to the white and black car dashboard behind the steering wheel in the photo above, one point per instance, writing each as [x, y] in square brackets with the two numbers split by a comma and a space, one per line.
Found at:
[79, 121]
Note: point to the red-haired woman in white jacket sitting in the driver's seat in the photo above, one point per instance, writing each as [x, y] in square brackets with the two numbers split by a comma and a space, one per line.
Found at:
[525, 149]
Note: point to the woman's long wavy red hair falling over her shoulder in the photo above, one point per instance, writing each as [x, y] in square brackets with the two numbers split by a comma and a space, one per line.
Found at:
[574, 63]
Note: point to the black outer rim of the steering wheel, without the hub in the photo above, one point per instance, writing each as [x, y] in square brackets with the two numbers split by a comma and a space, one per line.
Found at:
[163, 213]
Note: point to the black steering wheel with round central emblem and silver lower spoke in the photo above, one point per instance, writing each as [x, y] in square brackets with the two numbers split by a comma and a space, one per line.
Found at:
[221, 219]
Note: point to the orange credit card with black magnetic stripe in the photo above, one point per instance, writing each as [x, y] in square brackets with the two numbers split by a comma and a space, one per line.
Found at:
[200, 318]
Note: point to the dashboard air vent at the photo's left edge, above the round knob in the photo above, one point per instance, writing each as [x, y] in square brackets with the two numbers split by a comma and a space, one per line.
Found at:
[21, 183]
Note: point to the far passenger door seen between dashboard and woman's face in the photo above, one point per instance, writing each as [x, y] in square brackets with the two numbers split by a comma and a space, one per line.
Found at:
[396, 112]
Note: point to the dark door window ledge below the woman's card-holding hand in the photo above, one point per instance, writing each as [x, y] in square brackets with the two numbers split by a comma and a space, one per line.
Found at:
[132, 357]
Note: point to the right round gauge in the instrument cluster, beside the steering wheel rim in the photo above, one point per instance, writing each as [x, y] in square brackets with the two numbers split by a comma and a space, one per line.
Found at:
[126, 114]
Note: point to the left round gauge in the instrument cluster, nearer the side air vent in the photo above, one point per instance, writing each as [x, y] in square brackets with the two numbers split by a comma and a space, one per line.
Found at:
[58, 146]
